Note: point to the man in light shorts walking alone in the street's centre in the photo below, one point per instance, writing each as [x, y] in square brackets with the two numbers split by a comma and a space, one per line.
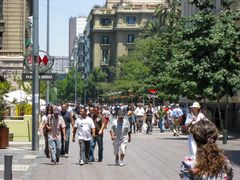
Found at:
[121, 135]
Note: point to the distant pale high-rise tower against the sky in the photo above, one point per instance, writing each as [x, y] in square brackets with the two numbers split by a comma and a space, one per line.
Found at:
[76, 28]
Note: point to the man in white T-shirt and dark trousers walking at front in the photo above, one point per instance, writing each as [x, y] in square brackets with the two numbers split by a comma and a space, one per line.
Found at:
[84, 126]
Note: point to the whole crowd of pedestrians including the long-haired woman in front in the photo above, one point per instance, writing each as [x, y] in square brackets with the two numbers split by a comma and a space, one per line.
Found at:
[89, 124]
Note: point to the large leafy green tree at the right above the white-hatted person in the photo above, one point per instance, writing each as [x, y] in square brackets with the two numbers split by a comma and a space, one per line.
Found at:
[207, 56]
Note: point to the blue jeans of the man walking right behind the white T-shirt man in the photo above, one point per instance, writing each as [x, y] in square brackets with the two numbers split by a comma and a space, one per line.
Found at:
[99, 140]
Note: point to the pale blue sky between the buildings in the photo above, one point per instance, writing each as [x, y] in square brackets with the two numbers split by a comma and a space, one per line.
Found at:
[60, 12]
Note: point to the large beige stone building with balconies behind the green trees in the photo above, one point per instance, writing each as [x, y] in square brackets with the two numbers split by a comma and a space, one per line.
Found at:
[115, 26]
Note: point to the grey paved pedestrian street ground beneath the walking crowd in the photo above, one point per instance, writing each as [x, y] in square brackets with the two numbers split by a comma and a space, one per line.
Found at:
[149, 157]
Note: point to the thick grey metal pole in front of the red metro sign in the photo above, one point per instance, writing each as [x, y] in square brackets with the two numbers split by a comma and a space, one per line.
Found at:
[35, 92]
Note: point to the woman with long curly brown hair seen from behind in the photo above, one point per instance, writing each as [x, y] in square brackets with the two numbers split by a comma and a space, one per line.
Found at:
[210, 162]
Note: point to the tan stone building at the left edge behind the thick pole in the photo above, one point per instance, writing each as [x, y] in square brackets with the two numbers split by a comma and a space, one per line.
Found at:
[15, 34]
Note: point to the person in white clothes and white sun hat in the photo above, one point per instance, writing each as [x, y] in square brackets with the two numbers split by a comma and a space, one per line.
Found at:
[193, 118]
